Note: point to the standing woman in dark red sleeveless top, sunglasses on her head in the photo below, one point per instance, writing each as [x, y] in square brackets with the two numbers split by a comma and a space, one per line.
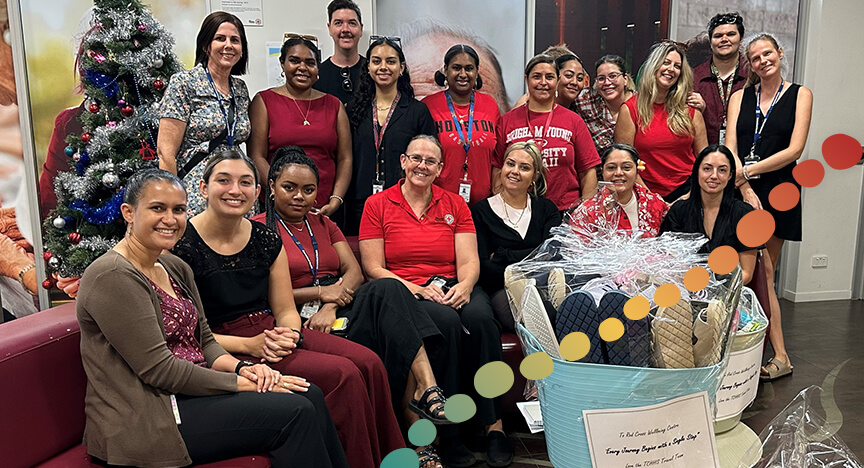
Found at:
[296, 114]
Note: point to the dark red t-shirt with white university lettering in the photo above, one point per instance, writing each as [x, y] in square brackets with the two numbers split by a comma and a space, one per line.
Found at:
[567, 148]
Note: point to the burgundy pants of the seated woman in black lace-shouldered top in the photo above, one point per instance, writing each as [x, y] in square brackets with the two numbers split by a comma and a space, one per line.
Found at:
[354, 383]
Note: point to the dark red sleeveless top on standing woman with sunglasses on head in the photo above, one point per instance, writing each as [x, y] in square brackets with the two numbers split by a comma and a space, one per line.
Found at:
[318, 139]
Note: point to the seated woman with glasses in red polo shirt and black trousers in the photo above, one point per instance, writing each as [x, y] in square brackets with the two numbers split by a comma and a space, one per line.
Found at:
[424, 236]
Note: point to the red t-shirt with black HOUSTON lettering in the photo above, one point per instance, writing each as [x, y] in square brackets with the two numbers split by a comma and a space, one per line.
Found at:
[483, 142]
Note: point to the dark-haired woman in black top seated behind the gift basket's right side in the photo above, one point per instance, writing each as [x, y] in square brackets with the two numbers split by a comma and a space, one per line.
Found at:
[712, 209]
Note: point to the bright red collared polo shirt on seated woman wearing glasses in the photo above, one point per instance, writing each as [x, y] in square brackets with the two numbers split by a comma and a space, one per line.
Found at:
[417, 249]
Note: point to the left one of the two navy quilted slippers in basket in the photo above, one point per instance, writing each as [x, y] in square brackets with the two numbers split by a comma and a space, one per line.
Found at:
[578, 312]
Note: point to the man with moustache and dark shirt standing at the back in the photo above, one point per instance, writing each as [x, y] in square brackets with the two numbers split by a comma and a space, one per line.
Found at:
[339, 74]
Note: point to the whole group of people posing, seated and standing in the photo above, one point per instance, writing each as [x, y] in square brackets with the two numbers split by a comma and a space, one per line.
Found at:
[234, 331]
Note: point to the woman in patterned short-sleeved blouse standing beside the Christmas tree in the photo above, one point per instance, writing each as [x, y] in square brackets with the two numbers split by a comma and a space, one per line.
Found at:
[205, 109]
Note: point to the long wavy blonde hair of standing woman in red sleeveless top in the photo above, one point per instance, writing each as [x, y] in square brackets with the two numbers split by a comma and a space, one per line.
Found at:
[679, 120]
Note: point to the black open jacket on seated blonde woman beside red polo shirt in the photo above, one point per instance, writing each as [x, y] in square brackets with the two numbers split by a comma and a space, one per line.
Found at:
[494, 236]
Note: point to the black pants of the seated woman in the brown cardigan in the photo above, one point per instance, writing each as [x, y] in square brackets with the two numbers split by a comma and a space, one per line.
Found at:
[294, 429]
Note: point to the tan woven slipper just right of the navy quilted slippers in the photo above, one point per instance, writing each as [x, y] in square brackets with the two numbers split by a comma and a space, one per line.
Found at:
[672, 330]
